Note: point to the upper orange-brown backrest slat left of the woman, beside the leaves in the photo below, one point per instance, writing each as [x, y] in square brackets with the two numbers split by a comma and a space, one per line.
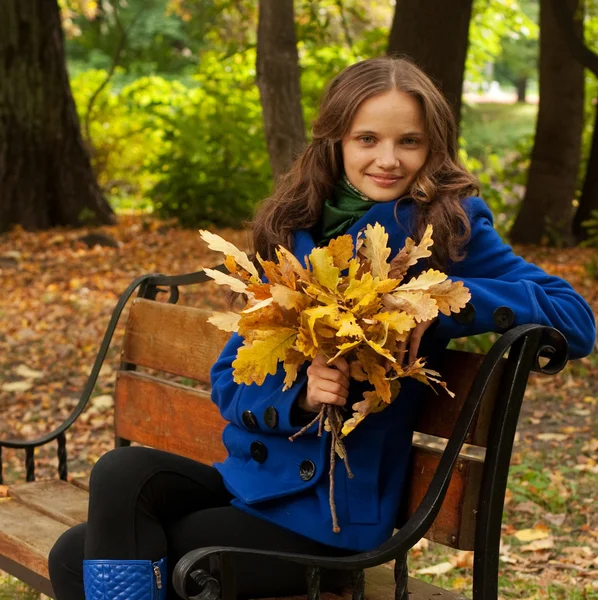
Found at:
[184, 343]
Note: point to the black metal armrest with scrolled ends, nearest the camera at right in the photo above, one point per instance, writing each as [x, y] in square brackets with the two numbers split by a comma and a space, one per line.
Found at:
[531, 343]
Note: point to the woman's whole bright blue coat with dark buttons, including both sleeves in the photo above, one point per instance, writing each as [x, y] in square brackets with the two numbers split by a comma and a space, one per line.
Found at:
[287, 482]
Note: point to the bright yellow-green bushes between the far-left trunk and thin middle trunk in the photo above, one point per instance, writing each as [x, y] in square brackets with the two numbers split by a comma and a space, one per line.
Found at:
[195, 151]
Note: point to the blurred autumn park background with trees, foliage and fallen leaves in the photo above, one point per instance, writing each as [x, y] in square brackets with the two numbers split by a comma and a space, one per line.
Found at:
[125, 125]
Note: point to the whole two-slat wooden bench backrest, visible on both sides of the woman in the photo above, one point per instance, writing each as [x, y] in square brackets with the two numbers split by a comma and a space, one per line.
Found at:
[180, 417]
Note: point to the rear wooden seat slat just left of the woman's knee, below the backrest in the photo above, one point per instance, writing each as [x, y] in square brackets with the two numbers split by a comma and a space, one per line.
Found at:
[57, 499]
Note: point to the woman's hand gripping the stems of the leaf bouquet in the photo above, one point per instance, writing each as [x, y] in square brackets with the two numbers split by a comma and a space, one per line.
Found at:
[326, 384]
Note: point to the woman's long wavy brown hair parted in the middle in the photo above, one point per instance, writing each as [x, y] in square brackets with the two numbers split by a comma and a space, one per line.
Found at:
[438, 188]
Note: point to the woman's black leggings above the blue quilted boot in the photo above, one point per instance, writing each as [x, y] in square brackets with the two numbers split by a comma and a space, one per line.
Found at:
[147, 504]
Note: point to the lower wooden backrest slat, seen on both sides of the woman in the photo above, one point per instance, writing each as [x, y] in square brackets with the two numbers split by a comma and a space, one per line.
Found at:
[175, 418]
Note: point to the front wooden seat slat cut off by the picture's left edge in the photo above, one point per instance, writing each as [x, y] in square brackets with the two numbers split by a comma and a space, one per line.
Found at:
[27, 536]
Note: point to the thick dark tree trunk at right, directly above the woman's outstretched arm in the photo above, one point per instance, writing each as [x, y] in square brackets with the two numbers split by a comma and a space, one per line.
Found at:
[547, 211]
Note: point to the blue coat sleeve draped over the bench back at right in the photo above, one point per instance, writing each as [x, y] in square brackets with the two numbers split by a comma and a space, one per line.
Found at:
[498, 278]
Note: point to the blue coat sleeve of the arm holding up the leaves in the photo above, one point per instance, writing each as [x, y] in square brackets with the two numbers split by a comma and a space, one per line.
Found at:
[234, 399]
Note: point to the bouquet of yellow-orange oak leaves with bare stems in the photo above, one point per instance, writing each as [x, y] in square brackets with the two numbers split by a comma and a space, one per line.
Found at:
[350, 302]
